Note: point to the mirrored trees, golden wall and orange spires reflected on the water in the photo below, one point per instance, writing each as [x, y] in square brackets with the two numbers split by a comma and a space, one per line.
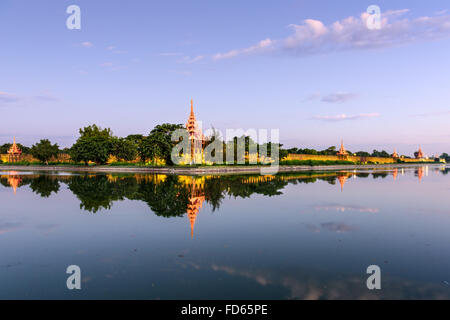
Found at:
[172, 196]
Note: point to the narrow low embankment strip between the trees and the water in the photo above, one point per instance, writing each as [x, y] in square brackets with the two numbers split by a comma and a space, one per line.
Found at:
[209, 170]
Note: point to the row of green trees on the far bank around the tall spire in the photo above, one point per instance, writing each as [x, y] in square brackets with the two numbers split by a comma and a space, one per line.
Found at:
[97, 145]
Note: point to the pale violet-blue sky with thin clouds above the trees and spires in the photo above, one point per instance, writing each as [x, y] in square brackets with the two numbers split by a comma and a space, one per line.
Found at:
[308, 68]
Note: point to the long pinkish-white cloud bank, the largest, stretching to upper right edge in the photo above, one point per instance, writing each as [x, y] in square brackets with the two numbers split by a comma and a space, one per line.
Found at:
[314, 37]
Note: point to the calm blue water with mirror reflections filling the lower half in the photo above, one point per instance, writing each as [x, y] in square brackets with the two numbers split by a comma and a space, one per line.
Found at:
[292, 236]
